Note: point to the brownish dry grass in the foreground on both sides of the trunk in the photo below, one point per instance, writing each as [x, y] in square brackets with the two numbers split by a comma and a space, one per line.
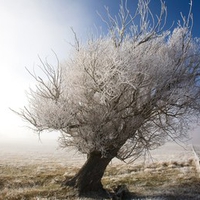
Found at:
[39, 182]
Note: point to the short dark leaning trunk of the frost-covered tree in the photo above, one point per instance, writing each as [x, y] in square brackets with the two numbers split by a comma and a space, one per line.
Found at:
[88, 179]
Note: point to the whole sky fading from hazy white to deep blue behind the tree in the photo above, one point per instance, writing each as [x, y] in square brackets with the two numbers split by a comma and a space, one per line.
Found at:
[32, 28]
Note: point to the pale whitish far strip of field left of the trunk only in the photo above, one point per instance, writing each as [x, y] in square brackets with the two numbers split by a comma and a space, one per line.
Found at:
[23, 153]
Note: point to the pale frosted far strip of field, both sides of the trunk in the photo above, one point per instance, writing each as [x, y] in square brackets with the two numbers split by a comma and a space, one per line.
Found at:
[30, 152]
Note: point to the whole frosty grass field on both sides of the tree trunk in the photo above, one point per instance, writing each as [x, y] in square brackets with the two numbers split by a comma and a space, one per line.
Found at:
[36, 172]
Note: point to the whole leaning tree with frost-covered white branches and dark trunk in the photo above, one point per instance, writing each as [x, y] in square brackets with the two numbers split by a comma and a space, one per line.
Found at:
[122, 93]
